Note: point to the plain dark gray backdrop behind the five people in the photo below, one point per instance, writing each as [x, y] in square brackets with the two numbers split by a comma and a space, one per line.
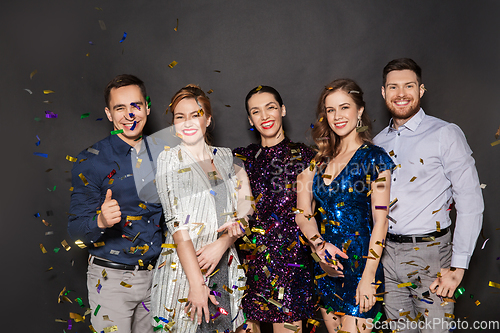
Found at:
[295, 46]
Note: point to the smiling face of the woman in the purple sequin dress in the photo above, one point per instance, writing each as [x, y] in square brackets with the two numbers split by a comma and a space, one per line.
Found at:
[266, 115]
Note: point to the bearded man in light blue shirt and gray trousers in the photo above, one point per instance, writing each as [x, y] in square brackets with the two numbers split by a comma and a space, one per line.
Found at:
[435, 169]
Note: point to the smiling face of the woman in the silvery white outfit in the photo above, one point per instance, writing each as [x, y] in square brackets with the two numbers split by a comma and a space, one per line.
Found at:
[190, 123]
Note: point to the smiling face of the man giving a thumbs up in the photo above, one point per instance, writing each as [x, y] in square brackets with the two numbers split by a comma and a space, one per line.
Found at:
[127, 111]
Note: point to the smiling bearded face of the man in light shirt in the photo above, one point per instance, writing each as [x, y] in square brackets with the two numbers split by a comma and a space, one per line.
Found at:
[402, 94]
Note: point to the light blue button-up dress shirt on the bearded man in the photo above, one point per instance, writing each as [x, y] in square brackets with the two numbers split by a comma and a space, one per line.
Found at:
[434, 168]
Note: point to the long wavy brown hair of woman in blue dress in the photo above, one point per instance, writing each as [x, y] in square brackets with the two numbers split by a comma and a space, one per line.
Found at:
[325, 138]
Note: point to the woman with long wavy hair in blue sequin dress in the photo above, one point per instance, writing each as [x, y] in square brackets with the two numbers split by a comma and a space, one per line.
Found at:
[344, 196]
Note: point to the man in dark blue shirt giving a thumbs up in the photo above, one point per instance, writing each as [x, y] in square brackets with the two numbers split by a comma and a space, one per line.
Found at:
[121, 231]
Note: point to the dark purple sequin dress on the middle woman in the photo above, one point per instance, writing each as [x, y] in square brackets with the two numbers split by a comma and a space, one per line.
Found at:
[274, 275]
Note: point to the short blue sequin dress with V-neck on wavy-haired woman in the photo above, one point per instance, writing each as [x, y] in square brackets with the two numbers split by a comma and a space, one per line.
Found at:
[345, 201]
